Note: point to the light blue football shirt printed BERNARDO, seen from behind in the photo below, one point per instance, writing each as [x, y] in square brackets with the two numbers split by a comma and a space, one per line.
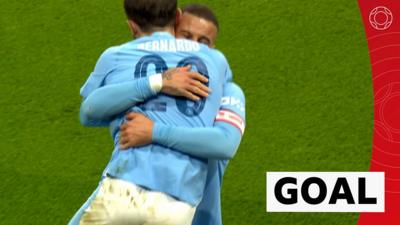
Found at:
[156, 167]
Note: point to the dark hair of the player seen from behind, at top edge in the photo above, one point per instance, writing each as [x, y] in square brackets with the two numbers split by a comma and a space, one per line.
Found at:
[150, 14]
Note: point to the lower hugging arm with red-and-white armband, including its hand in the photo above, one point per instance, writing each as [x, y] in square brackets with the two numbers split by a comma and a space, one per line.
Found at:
[218, 142]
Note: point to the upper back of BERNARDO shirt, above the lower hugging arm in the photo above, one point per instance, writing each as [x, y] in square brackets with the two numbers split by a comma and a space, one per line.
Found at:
[155, 54]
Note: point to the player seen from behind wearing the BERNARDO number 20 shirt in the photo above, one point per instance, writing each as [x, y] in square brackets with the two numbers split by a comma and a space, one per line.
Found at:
[159, 185]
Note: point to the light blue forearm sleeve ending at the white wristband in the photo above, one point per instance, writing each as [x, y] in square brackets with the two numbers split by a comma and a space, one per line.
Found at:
[106, 102]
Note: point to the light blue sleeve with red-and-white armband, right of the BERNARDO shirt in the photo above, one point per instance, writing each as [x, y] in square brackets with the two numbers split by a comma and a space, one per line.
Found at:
[218, 142]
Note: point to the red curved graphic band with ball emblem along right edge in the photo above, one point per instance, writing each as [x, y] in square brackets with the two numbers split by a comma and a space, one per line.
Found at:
[382, 25]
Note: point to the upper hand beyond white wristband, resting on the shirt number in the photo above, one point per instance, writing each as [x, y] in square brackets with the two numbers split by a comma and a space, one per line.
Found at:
[182, 82]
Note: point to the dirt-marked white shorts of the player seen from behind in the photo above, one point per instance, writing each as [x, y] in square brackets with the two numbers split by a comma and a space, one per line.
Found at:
[122, 203]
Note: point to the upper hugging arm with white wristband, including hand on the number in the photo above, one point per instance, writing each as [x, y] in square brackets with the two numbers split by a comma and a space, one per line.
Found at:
[106, 102]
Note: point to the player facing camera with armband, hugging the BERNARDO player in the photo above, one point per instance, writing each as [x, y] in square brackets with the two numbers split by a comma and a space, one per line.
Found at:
[217, 144]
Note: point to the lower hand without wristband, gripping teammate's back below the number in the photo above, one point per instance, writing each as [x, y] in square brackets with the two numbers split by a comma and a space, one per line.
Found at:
[136, 132]
